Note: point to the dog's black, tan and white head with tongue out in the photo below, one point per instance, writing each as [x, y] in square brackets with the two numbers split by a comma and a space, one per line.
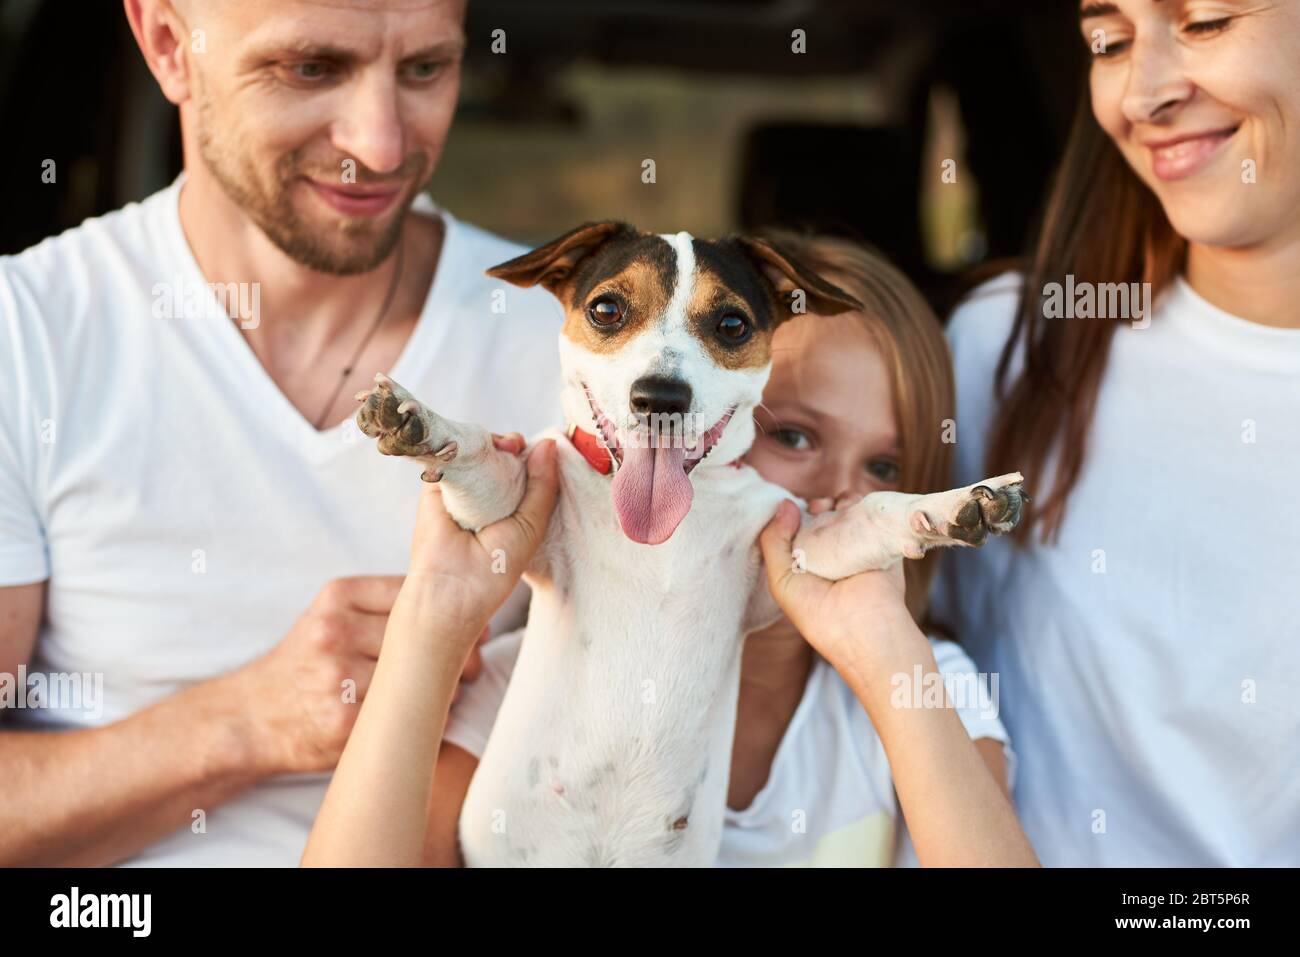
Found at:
[666, 348]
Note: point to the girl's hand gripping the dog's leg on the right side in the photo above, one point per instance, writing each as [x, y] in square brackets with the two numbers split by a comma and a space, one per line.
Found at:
[861, 625]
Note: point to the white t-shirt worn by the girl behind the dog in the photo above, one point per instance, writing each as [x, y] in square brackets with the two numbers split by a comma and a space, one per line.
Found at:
[829, 800]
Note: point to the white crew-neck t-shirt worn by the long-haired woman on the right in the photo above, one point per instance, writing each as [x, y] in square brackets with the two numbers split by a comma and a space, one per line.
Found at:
[1150, 659]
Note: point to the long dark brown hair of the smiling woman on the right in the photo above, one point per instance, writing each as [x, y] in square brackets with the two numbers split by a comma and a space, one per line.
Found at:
[1102, 224]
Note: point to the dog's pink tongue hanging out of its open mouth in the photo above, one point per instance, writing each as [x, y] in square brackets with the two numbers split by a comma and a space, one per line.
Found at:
[652, 493]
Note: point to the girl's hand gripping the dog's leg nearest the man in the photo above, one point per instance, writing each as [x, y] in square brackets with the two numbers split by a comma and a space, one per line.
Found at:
[469, 575]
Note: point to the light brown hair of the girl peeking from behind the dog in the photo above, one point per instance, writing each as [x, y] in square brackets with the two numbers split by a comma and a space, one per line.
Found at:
[921, 371]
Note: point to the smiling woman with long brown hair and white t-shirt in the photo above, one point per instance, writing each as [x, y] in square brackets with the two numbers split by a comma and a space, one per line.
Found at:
[1147, 625]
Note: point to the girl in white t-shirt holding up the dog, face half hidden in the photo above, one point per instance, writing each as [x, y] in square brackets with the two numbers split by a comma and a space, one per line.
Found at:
[824, 742]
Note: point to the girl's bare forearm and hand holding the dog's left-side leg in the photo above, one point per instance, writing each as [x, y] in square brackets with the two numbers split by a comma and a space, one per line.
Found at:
[457, 581]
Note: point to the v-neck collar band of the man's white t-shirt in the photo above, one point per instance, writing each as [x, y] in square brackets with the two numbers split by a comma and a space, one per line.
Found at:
[319, 447]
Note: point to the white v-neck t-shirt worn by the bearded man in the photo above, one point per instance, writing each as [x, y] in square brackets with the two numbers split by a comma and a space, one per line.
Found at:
[184, 512]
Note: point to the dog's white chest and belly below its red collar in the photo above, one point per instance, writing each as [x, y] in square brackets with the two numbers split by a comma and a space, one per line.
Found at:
[613, 746]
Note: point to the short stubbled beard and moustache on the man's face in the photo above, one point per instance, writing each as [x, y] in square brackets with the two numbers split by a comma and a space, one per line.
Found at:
[358, 246]
